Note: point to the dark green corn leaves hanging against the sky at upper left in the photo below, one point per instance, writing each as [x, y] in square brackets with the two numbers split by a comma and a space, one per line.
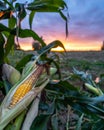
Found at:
[16, 12]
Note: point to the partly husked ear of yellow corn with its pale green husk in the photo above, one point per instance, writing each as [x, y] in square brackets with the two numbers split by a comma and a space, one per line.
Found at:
[8, 109]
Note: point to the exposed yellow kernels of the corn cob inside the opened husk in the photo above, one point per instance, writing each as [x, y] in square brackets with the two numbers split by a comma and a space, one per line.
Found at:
[26, 86]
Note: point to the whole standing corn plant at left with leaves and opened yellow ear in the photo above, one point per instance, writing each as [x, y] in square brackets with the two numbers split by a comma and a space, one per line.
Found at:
[20, 94]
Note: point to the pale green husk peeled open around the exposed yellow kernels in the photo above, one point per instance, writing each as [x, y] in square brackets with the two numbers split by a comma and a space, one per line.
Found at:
[8, 114]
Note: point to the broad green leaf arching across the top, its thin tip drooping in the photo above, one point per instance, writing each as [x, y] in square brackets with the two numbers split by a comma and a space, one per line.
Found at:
[50, 6]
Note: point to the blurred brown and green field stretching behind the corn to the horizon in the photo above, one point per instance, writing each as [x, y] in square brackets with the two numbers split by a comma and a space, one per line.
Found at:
[87, 61]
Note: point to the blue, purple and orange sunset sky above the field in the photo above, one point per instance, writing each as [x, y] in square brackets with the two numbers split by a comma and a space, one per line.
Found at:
[86, 26]
